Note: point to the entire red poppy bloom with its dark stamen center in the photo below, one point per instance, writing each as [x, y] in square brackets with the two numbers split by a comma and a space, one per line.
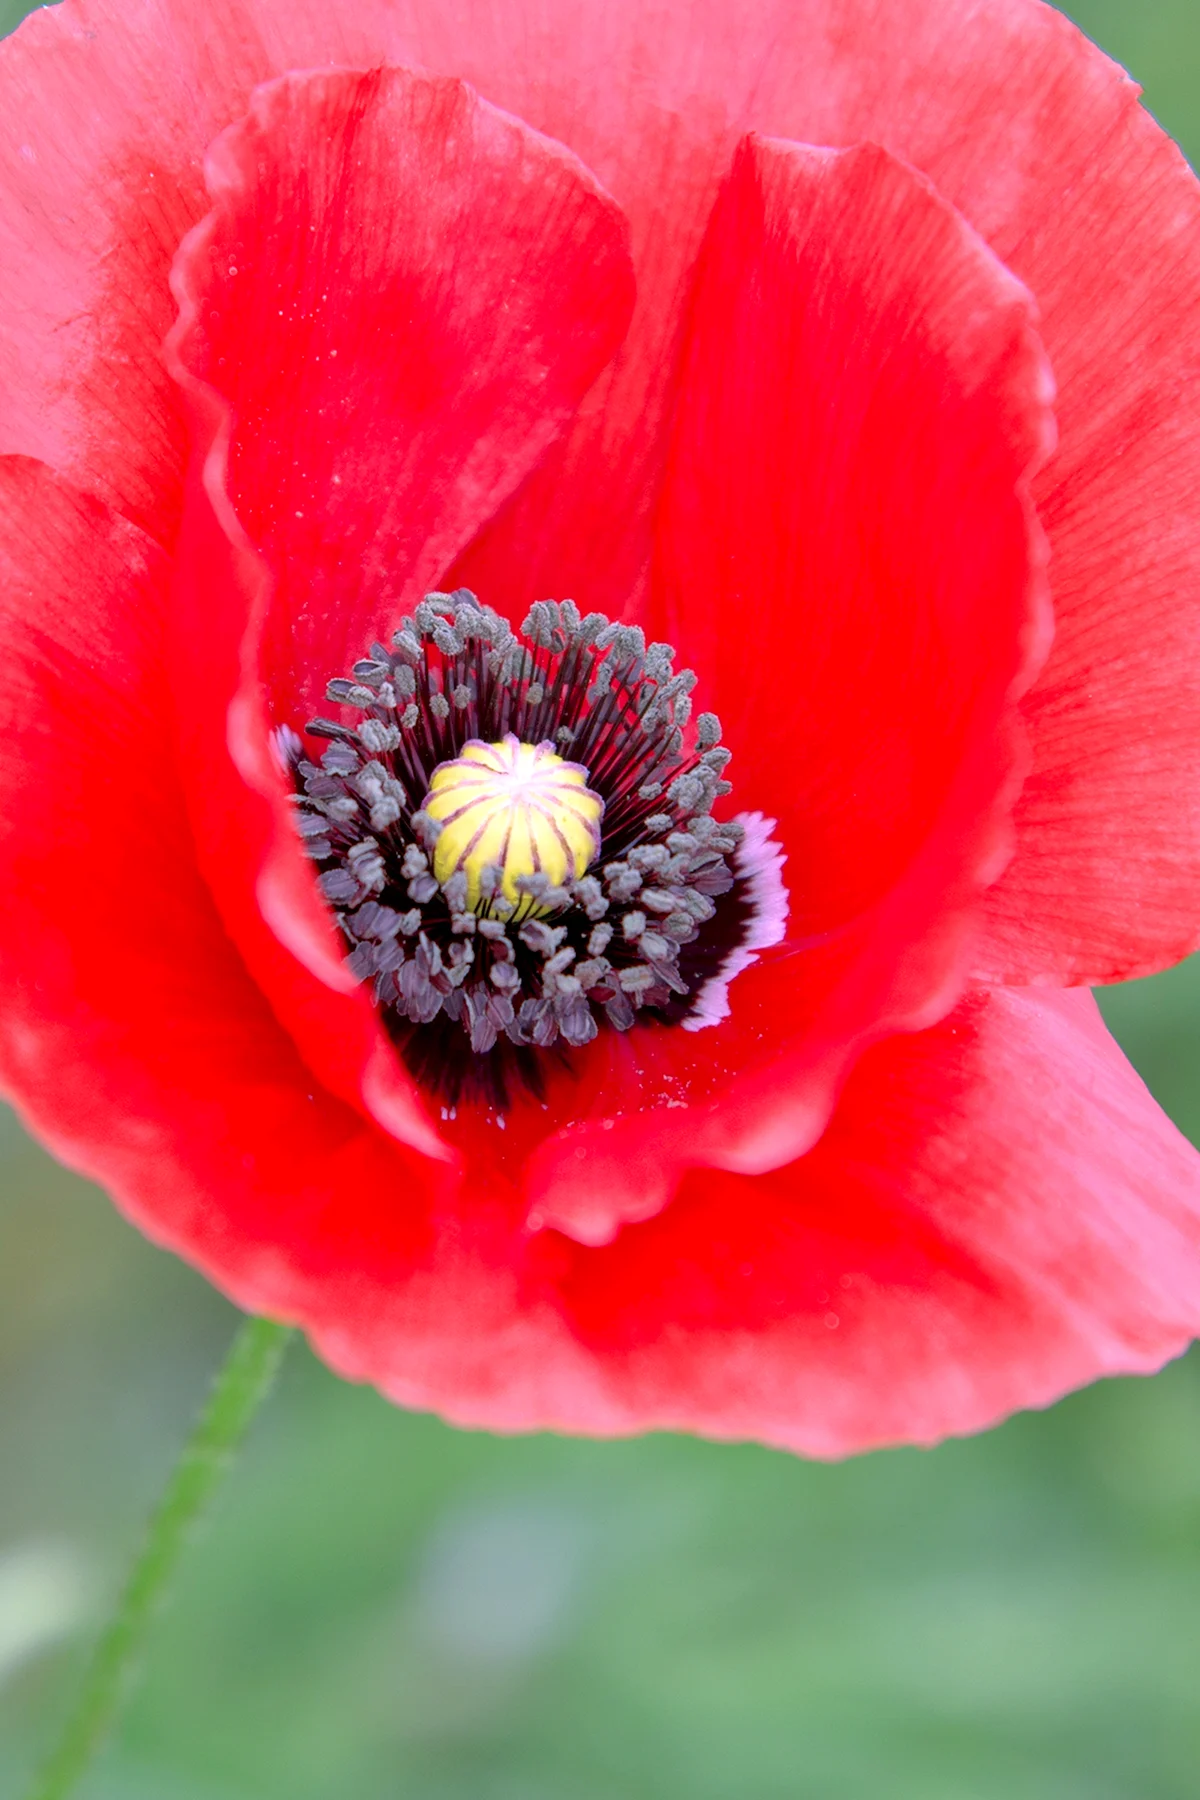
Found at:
[600, 634]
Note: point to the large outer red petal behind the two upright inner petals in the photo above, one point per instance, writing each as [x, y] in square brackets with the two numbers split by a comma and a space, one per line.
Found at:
[1021, 123]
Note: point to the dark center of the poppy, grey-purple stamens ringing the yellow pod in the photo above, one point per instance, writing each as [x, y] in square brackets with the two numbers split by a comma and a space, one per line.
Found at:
[519, 847]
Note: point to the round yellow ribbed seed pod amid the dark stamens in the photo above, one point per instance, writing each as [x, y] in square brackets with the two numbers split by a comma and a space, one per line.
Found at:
[517, 809]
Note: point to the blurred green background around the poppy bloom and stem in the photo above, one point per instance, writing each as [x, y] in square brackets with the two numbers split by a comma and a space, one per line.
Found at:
[390, 1610]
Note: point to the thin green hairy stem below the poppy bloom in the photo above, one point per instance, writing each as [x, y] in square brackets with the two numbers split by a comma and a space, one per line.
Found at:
[240, 1389]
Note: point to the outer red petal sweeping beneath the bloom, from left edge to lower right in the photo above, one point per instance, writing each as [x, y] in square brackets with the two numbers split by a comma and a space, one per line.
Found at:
[998, 1210]
